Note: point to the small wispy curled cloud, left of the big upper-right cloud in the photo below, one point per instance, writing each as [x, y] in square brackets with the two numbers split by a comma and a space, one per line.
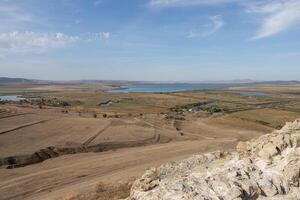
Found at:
[216, 24]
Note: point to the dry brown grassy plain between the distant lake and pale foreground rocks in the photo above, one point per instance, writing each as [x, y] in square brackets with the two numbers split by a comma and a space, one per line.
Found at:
[81, 150]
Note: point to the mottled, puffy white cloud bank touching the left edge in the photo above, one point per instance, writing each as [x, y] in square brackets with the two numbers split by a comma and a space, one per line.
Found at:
[33, 42]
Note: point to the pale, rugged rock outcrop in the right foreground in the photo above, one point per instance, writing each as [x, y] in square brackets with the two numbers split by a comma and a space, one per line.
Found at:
[265, 168]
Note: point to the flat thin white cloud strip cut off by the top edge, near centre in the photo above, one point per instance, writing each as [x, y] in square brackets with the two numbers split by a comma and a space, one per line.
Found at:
[180, 3]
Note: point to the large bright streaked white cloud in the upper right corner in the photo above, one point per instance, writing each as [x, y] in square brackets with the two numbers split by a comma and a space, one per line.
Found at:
[280, 15]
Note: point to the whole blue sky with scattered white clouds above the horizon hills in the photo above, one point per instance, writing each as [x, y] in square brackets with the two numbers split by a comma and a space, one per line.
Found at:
[150, 40]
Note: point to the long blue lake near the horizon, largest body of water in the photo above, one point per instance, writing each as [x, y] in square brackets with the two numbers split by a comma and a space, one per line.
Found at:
[170, 87]
